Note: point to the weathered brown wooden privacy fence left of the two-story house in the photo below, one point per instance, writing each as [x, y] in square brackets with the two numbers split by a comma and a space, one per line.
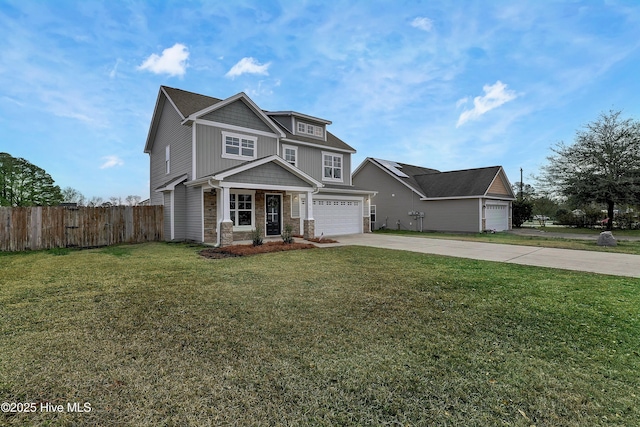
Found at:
[82, 227]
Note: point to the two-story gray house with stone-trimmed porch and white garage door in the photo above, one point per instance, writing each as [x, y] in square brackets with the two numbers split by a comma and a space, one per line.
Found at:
[224, 167]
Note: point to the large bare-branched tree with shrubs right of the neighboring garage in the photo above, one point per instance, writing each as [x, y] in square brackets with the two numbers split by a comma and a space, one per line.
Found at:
[599, 172]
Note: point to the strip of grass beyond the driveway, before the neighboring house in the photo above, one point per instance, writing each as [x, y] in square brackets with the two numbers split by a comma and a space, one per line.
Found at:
[624, 246]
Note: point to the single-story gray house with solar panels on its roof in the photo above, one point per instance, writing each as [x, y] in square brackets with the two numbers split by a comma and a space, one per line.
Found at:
[416, 198]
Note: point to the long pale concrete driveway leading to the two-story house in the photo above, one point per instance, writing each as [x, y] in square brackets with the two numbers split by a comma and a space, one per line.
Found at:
[593, 262]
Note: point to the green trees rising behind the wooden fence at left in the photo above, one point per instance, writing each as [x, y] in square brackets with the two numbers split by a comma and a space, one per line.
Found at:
[24, 184]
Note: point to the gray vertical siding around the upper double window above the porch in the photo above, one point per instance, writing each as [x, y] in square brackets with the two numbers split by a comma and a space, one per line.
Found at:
[209, 149]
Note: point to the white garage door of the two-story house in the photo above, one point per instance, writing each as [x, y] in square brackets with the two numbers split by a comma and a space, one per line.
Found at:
[334, 217]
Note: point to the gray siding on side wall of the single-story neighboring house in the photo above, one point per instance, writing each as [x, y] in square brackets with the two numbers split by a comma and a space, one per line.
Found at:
[394, 201]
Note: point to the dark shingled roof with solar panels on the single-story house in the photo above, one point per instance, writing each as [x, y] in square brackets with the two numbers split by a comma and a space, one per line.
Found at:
[433, 184]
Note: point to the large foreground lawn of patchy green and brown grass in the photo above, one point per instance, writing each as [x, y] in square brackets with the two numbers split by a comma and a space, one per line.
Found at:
[154, 334]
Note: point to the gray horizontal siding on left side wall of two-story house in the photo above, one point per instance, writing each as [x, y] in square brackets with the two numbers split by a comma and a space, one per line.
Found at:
[170, 132]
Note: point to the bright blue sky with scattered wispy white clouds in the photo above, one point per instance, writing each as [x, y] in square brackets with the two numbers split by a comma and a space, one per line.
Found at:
[441, 84]
